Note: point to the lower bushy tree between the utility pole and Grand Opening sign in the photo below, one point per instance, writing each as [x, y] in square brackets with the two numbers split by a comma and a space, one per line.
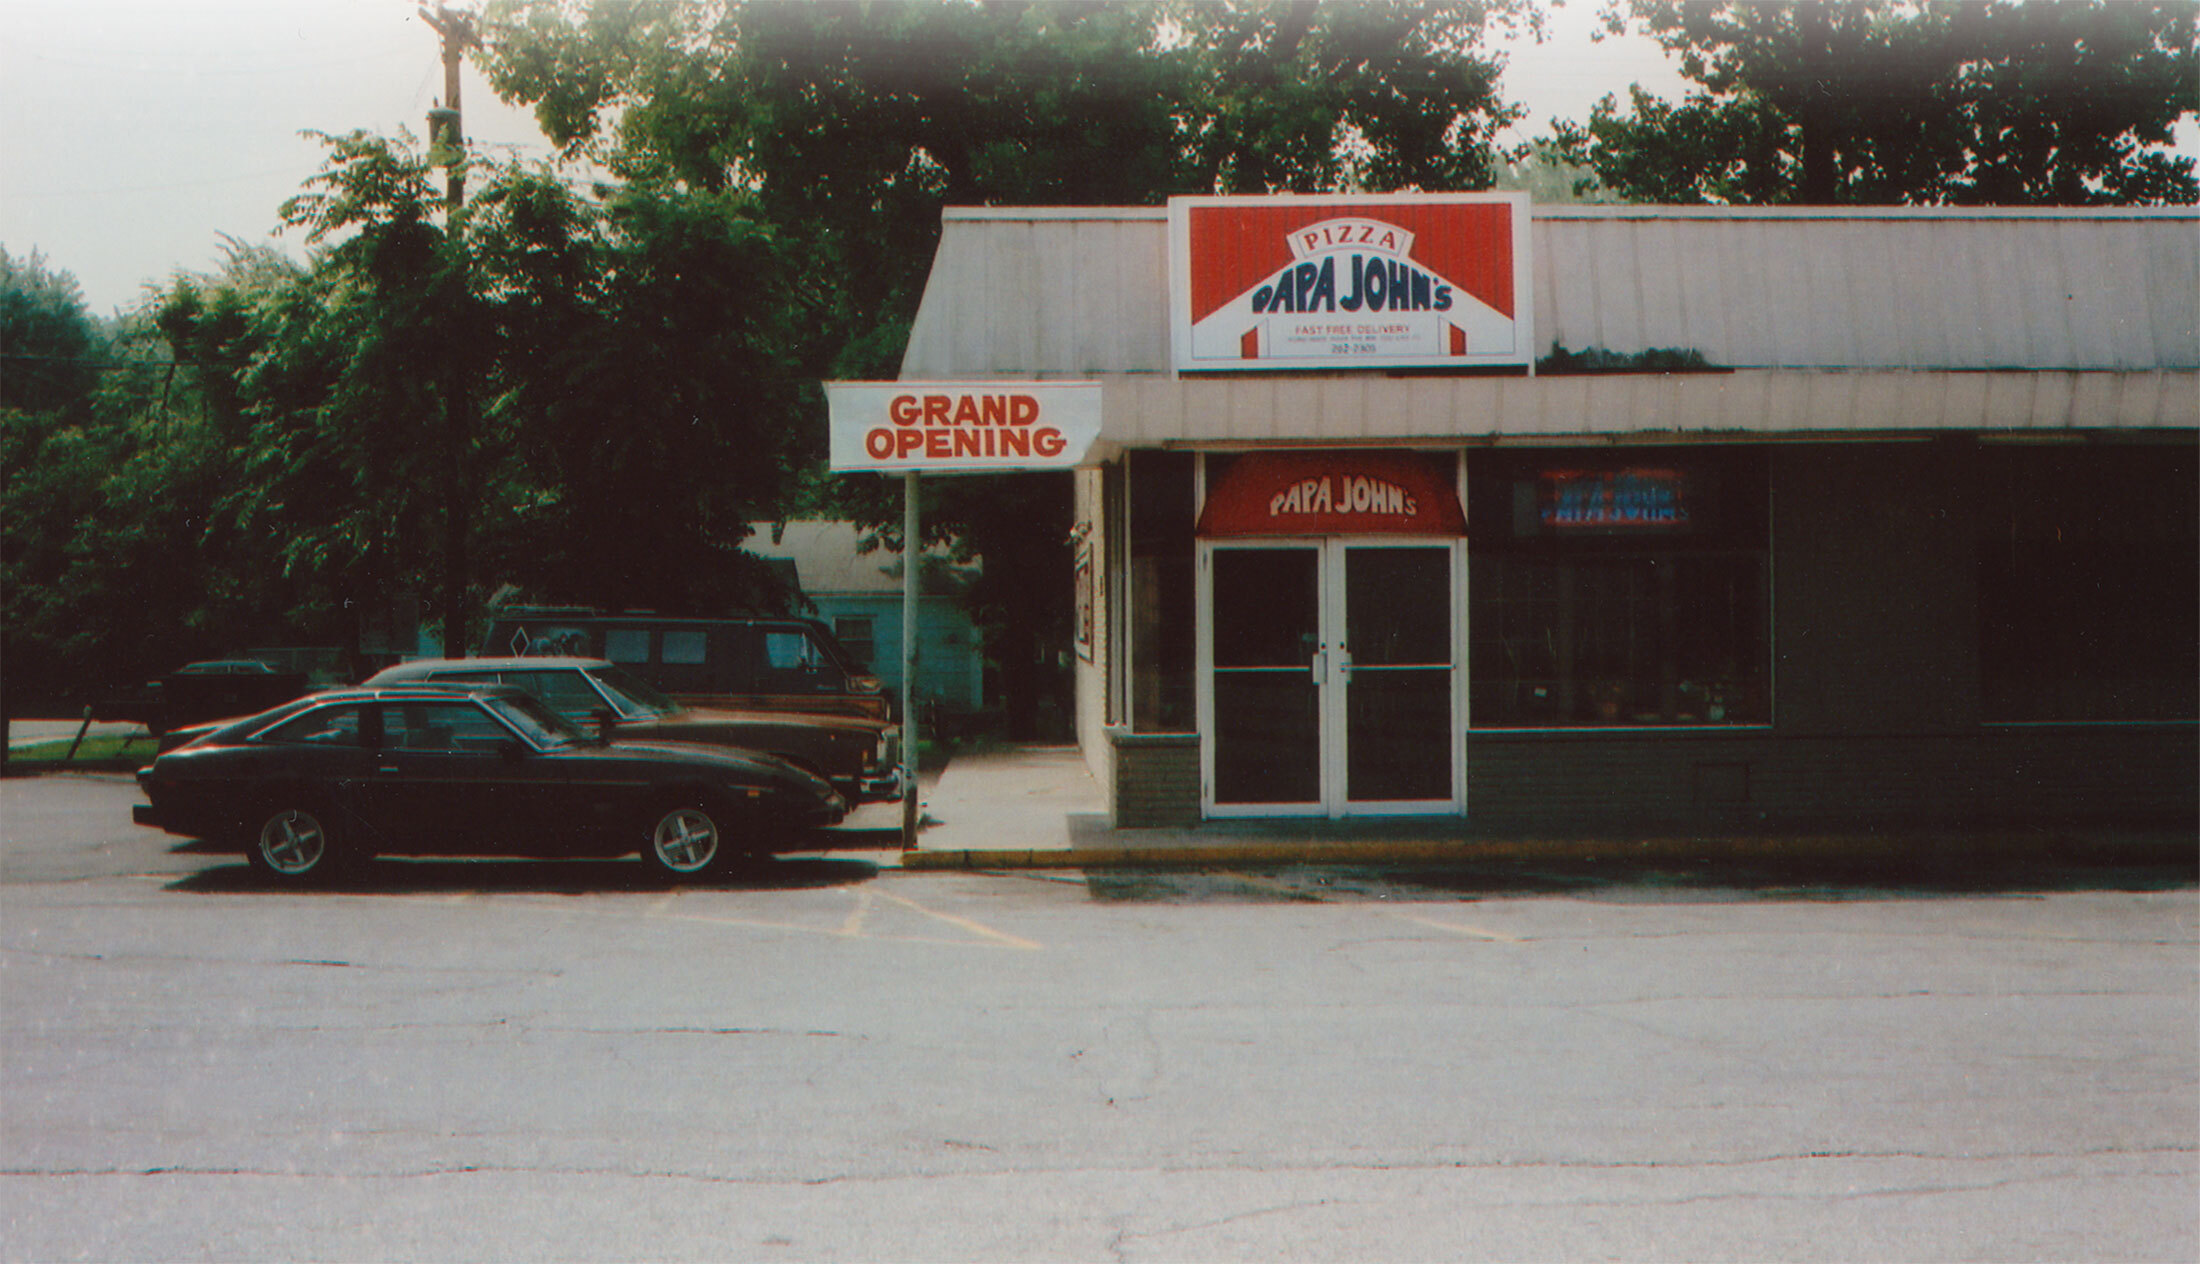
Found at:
[643, 390]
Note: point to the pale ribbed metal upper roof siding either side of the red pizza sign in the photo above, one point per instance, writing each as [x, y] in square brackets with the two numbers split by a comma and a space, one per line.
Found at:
[1059, 293]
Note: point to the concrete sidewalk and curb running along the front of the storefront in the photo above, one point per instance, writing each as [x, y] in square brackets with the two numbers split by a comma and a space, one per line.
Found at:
[1039, 808]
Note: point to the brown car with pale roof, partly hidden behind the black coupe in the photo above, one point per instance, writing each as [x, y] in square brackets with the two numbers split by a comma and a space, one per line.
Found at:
[859, 757]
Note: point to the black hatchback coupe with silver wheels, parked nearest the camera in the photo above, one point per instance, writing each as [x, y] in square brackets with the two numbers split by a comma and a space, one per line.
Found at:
[465, 770]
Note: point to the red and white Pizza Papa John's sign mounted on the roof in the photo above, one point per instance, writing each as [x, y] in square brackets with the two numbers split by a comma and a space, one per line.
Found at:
[1350, 282]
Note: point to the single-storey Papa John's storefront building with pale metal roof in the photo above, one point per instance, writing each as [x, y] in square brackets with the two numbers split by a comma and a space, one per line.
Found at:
[1616, 518]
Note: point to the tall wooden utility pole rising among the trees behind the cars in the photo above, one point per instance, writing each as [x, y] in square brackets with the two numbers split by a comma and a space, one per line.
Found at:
[448, 146]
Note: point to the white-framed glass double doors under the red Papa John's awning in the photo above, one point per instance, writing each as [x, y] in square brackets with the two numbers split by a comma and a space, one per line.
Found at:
[1330, 678]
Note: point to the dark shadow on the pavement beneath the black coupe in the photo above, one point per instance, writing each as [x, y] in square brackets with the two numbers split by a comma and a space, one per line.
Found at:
[395, 876]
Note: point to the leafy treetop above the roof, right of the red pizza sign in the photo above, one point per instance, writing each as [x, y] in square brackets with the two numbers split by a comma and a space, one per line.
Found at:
[1924, 102]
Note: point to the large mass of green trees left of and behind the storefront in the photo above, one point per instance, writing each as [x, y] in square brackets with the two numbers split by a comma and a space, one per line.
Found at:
[591, 392]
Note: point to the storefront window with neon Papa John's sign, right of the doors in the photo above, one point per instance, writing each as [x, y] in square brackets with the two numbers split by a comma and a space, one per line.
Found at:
[1618, 588]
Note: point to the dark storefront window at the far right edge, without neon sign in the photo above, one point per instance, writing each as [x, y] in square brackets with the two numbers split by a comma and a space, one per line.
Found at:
[2089, 584]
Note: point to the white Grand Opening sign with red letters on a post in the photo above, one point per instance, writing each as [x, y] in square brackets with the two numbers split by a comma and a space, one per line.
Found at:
[960, 428]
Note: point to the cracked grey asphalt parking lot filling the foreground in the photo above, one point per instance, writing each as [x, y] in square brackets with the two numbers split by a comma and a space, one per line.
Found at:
[833, 1058]
